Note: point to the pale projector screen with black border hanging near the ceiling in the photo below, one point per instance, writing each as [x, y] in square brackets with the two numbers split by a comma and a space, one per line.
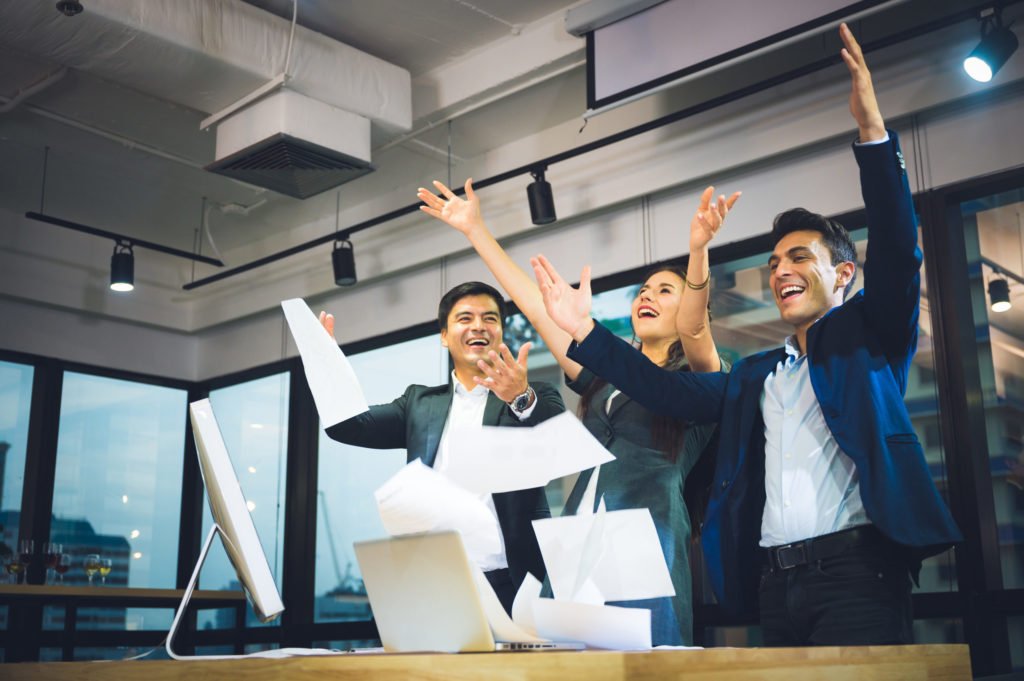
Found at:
[681, 37]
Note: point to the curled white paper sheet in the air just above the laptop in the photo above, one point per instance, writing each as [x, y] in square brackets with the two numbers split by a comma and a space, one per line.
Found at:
[418, 499]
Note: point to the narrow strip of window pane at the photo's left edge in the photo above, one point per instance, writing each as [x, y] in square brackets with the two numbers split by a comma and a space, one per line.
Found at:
[16, 402]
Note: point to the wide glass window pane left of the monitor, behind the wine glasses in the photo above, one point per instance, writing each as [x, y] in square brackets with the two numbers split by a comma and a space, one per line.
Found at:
[118, 486]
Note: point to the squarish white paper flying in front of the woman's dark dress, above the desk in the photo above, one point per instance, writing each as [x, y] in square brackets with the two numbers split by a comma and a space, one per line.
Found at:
[630, 564]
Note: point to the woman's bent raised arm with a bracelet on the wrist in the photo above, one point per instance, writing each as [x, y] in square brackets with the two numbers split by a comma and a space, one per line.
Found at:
[693, 322]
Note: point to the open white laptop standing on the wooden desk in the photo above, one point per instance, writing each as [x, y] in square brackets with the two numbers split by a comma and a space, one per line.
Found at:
[424, 598]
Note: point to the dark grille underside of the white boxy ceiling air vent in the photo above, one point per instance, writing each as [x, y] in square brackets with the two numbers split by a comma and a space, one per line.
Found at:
[291, 166]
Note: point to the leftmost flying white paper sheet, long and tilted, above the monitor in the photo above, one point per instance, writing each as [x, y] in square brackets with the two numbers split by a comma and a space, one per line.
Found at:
[332, 381]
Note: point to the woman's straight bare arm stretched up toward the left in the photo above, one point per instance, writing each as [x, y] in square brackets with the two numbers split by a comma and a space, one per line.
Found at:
[464, 216]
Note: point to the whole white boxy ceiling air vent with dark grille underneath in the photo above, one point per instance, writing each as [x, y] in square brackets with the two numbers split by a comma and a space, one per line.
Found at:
[293, 145]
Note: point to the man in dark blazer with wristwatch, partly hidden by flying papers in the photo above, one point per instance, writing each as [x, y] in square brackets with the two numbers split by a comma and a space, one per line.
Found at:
[489, 387]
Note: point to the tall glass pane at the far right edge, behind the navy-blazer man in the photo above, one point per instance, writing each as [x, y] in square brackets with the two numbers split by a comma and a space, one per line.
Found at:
[994, 230]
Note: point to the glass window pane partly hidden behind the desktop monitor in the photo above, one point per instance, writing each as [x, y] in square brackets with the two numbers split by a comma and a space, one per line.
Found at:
[253, 420]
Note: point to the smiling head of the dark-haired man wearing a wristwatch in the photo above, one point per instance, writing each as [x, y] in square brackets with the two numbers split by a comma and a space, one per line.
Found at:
[475, 328]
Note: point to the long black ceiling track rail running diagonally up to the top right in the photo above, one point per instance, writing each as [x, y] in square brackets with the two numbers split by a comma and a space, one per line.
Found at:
[901, 36]
